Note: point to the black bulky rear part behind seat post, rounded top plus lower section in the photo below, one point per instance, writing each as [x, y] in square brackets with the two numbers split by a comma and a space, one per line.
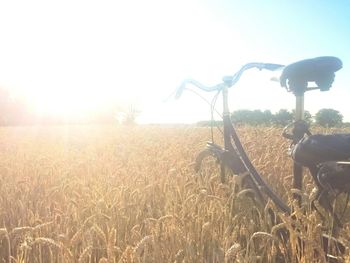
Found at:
[322, 155]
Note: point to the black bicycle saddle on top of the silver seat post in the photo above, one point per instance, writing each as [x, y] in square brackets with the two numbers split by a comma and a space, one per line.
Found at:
[319, 70]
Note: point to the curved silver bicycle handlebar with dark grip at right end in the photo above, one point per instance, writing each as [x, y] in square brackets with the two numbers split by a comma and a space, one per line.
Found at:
[228, 81]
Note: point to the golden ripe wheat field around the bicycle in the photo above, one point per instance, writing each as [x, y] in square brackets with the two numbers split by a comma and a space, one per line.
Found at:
[117, 194]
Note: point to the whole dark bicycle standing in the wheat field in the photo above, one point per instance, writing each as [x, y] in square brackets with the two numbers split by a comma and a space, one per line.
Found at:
[328, 170]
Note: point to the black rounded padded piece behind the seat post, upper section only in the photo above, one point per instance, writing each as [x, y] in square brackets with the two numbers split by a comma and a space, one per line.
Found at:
[319, 148]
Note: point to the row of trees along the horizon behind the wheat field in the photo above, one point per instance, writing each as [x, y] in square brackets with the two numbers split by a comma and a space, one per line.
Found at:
[14, 112]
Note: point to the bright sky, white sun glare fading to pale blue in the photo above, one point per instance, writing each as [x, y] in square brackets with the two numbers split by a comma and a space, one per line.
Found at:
[75, 57]
